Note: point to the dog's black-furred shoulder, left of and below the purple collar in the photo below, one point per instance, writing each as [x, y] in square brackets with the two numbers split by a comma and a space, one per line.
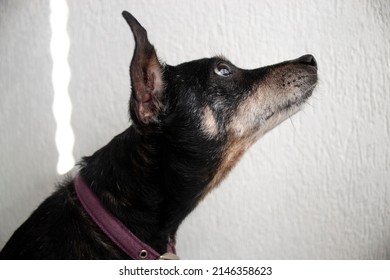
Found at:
[59, 229]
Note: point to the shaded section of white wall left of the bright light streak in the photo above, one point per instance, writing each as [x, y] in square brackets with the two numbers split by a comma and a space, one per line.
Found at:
[28, 151]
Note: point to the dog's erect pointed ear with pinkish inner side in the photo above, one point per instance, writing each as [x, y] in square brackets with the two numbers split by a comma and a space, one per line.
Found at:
[146, 75]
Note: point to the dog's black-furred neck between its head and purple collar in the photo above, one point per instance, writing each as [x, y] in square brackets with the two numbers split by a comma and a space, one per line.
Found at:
[146, 184]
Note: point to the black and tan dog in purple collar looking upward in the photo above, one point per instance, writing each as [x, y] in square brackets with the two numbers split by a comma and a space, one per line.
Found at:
[191, 123]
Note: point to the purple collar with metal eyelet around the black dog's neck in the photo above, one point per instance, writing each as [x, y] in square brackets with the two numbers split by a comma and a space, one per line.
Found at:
[114, 228]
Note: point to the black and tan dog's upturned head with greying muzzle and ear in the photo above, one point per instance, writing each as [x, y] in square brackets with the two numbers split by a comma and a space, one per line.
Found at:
[210, 106]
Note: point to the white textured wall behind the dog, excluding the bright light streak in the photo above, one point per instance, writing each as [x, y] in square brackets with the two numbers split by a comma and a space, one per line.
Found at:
[315, 187]
